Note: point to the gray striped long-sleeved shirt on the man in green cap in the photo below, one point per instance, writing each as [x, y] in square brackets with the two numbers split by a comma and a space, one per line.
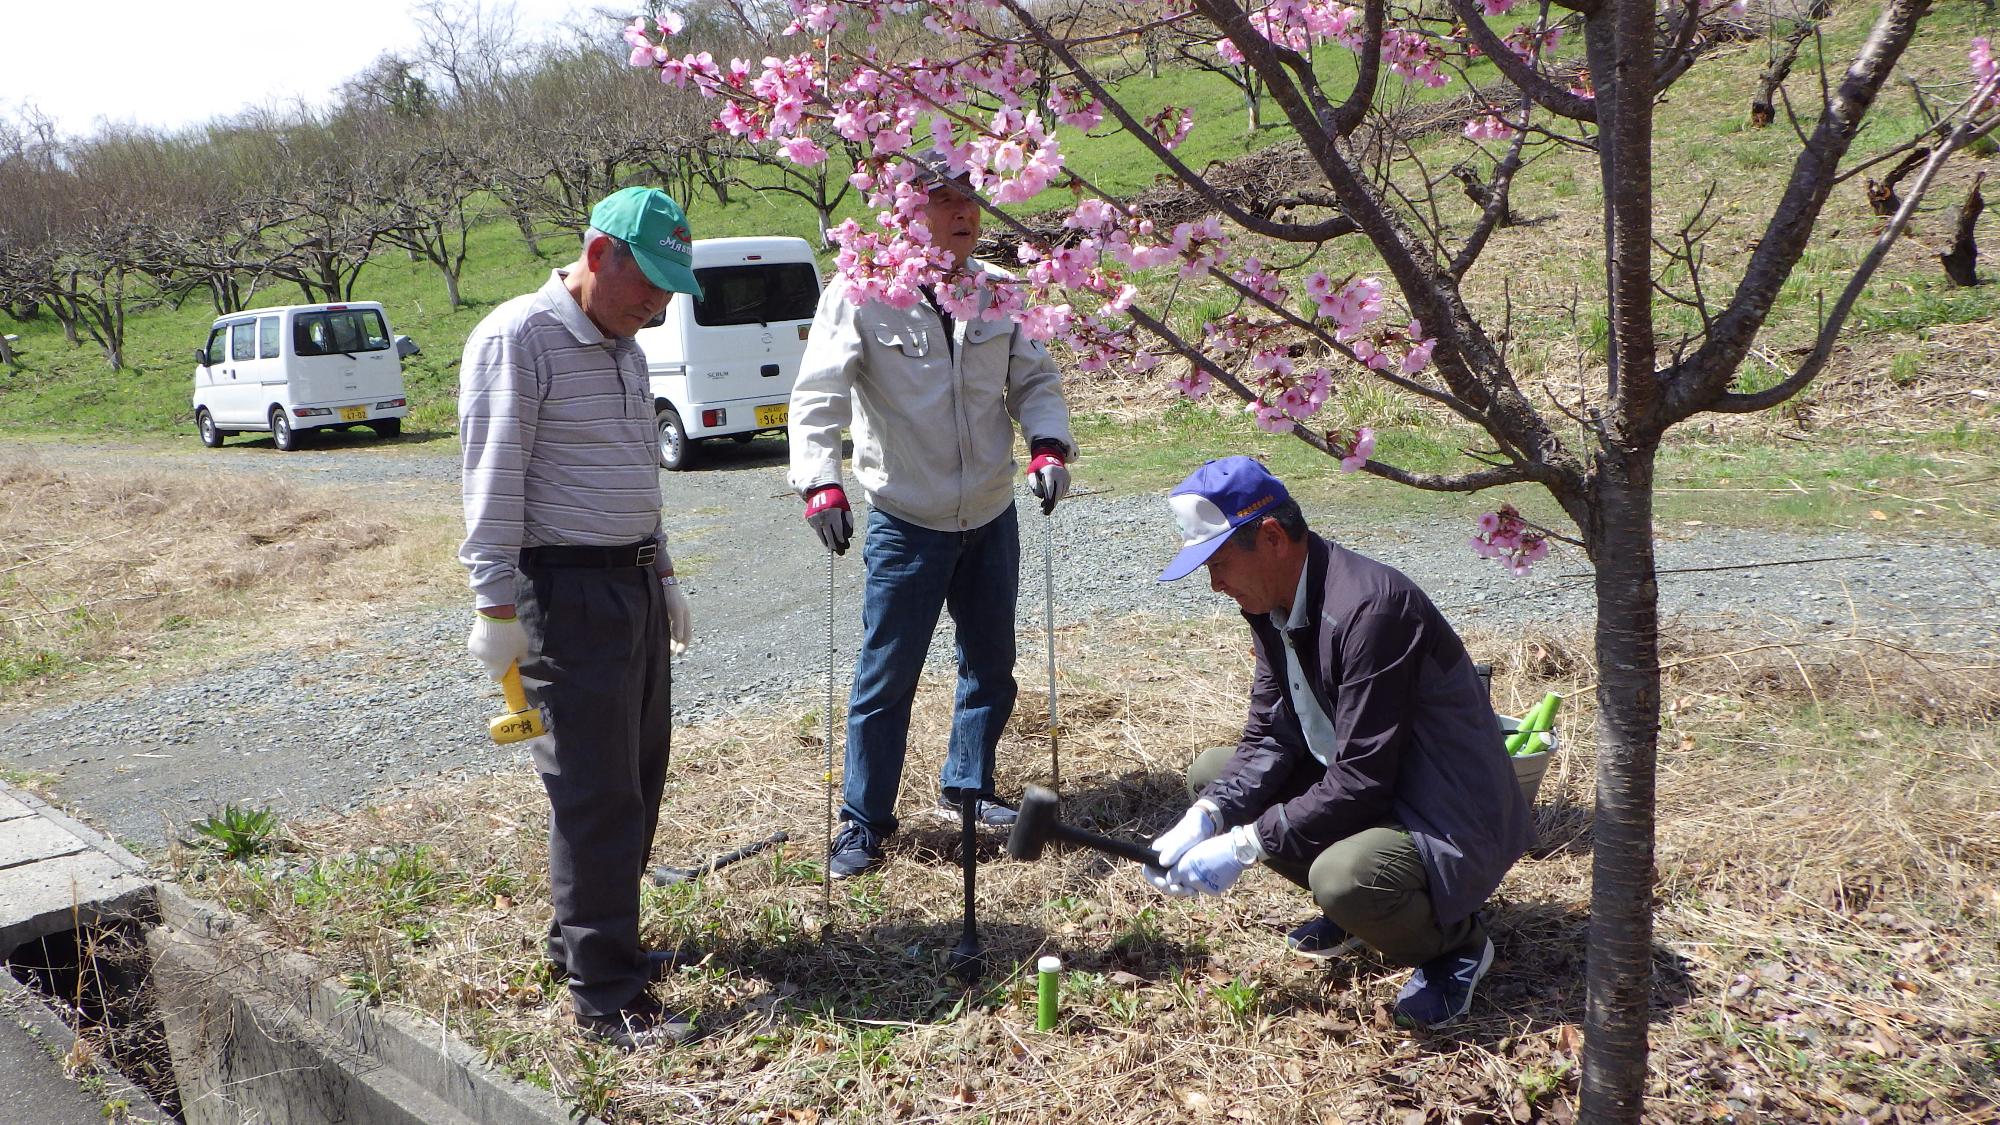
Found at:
[559, 439]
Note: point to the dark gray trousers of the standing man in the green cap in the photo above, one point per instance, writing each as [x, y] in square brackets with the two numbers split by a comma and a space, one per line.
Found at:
[599, 668]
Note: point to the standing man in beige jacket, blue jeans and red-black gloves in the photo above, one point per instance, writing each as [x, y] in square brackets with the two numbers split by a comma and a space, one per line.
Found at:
[933, 403]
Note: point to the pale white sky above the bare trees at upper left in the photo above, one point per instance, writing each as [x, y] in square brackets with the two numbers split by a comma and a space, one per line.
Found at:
[187, 61]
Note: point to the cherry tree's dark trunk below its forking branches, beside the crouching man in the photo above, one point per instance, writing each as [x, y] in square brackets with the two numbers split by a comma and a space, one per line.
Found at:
[1619, 974]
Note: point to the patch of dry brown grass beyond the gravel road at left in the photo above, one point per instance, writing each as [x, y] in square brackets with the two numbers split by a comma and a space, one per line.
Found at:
[99, 568]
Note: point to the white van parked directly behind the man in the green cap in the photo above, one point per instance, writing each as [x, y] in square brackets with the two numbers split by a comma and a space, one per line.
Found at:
[725, 365]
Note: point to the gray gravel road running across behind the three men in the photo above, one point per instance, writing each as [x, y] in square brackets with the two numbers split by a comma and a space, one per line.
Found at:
[399, 702]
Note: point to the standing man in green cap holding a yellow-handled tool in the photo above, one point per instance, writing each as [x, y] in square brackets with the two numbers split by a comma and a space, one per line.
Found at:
[573, 582]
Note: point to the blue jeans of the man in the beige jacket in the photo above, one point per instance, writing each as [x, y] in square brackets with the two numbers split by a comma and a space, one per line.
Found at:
[911, 576]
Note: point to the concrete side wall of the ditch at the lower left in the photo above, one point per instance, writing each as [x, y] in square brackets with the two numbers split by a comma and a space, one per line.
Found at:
[263, 1034]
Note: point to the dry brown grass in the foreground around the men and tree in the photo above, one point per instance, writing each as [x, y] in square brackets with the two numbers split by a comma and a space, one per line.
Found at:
[1829, 938]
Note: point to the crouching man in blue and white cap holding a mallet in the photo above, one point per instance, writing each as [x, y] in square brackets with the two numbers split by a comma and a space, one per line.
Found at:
[1371, 770]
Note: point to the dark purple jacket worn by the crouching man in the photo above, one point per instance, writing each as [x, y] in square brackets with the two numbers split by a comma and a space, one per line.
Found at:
[1417, 742]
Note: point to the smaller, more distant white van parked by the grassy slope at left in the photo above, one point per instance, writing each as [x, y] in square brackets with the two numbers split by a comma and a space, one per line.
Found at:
[299, 367]
